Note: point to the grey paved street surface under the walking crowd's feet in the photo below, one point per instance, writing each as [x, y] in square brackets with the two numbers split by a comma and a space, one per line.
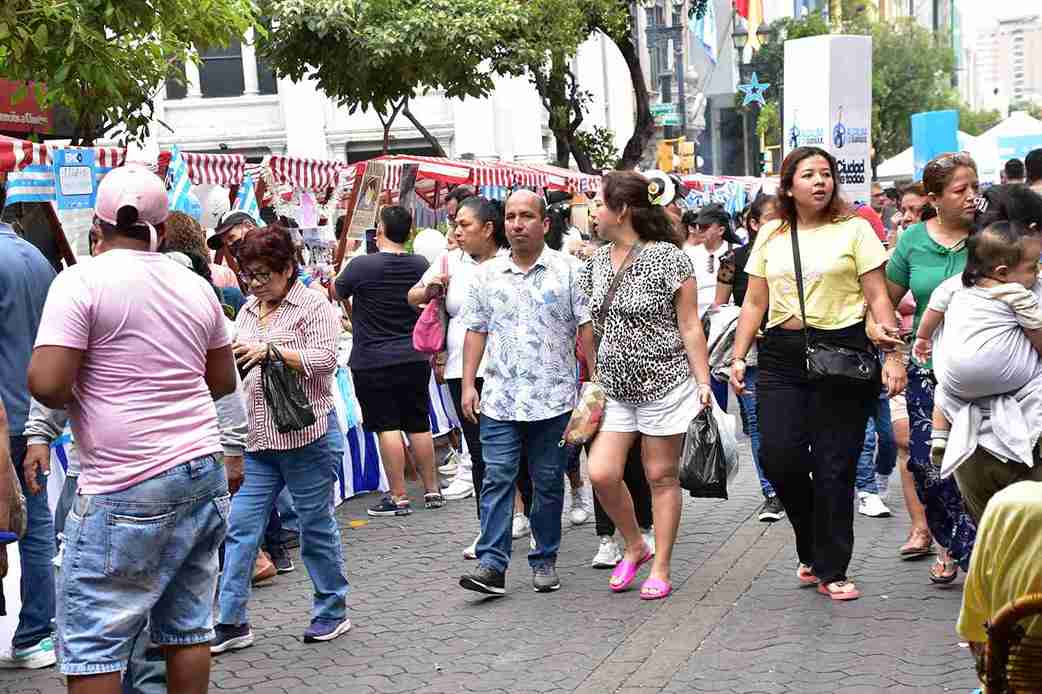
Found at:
[737, 622]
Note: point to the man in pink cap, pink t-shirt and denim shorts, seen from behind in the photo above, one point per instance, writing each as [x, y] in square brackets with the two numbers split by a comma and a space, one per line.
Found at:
[136, 349]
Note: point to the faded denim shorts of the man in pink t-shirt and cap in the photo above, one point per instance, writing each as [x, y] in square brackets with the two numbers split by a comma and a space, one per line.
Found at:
[146, 553]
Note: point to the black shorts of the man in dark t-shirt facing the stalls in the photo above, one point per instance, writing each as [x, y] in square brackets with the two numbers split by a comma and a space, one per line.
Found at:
[394, 399]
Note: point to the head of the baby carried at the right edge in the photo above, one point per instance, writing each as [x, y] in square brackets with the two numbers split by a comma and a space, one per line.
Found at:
[1005, 253]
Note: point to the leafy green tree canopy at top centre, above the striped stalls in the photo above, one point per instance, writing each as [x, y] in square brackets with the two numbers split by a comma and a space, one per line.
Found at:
[381, 54]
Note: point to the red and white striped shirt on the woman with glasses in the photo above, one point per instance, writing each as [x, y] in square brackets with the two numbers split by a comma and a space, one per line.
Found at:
[305, 324]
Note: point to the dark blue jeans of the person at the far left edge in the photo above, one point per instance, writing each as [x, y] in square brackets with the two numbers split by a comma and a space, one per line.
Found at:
[36, 553]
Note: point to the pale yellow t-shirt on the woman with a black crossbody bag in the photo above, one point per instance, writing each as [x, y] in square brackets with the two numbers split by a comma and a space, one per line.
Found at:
[834, 258]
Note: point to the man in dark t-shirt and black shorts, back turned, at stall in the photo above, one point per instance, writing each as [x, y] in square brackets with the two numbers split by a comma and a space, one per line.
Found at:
[391, 379]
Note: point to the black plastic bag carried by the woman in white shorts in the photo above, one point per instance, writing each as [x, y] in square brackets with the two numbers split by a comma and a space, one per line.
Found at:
[709, 459]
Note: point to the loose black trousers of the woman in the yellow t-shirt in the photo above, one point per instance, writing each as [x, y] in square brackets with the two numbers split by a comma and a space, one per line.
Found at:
[811, 436]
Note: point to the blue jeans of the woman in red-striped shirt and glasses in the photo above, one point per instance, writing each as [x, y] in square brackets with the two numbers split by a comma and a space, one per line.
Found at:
[309, 476]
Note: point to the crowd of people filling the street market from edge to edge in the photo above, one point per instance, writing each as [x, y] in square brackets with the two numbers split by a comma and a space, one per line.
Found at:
[858, 339]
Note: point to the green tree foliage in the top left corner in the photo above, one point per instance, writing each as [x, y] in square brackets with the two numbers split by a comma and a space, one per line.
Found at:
[105, 60]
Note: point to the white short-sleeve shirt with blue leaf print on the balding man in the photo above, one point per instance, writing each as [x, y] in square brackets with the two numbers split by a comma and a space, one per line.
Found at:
[532, 320]
